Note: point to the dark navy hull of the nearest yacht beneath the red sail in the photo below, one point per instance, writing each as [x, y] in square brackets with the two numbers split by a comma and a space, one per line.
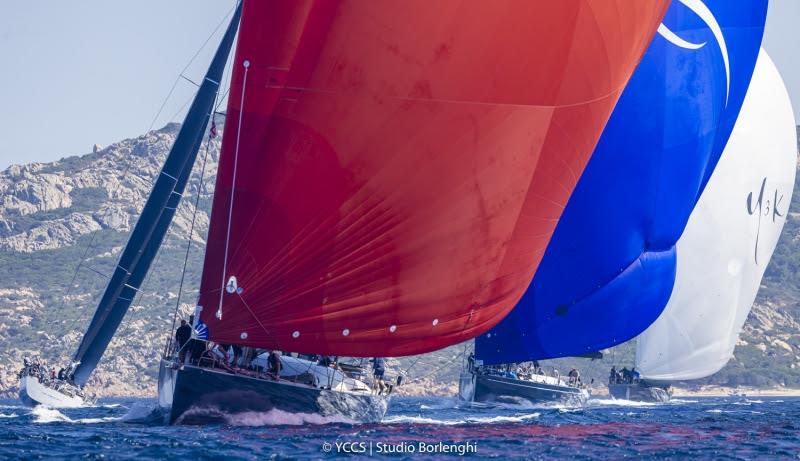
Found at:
[195, 395]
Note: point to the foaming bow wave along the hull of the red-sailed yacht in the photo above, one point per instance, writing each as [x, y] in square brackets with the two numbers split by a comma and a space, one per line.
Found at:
[272, 417]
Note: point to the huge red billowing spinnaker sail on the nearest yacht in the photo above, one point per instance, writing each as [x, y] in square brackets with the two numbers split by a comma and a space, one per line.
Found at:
[392, 171]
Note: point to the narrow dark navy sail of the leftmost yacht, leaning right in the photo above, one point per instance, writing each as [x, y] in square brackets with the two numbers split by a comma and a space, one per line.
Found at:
[156, 216]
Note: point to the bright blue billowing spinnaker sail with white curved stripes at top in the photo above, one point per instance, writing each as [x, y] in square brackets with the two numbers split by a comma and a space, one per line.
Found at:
[609, 269]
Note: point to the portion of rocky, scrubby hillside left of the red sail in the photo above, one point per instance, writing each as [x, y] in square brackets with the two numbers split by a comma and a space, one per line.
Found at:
[62, 226]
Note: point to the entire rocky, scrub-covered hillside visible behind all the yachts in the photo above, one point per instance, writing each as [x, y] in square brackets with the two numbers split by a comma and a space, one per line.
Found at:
[62, 225]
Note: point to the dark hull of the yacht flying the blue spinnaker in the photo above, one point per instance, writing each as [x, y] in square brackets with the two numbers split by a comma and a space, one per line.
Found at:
[497, 389]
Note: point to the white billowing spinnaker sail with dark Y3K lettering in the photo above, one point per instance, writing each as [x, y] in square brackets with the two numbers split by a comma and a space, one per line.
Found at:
[729, 240]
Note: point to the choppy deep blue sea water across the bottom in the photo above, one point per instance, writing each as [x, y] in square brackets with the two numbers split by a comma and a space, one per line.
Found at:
[419, 428]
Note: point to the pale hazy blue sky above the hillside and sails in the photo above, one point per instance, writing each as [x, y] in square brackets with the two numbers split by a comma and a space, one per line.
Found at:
[77, 73]
